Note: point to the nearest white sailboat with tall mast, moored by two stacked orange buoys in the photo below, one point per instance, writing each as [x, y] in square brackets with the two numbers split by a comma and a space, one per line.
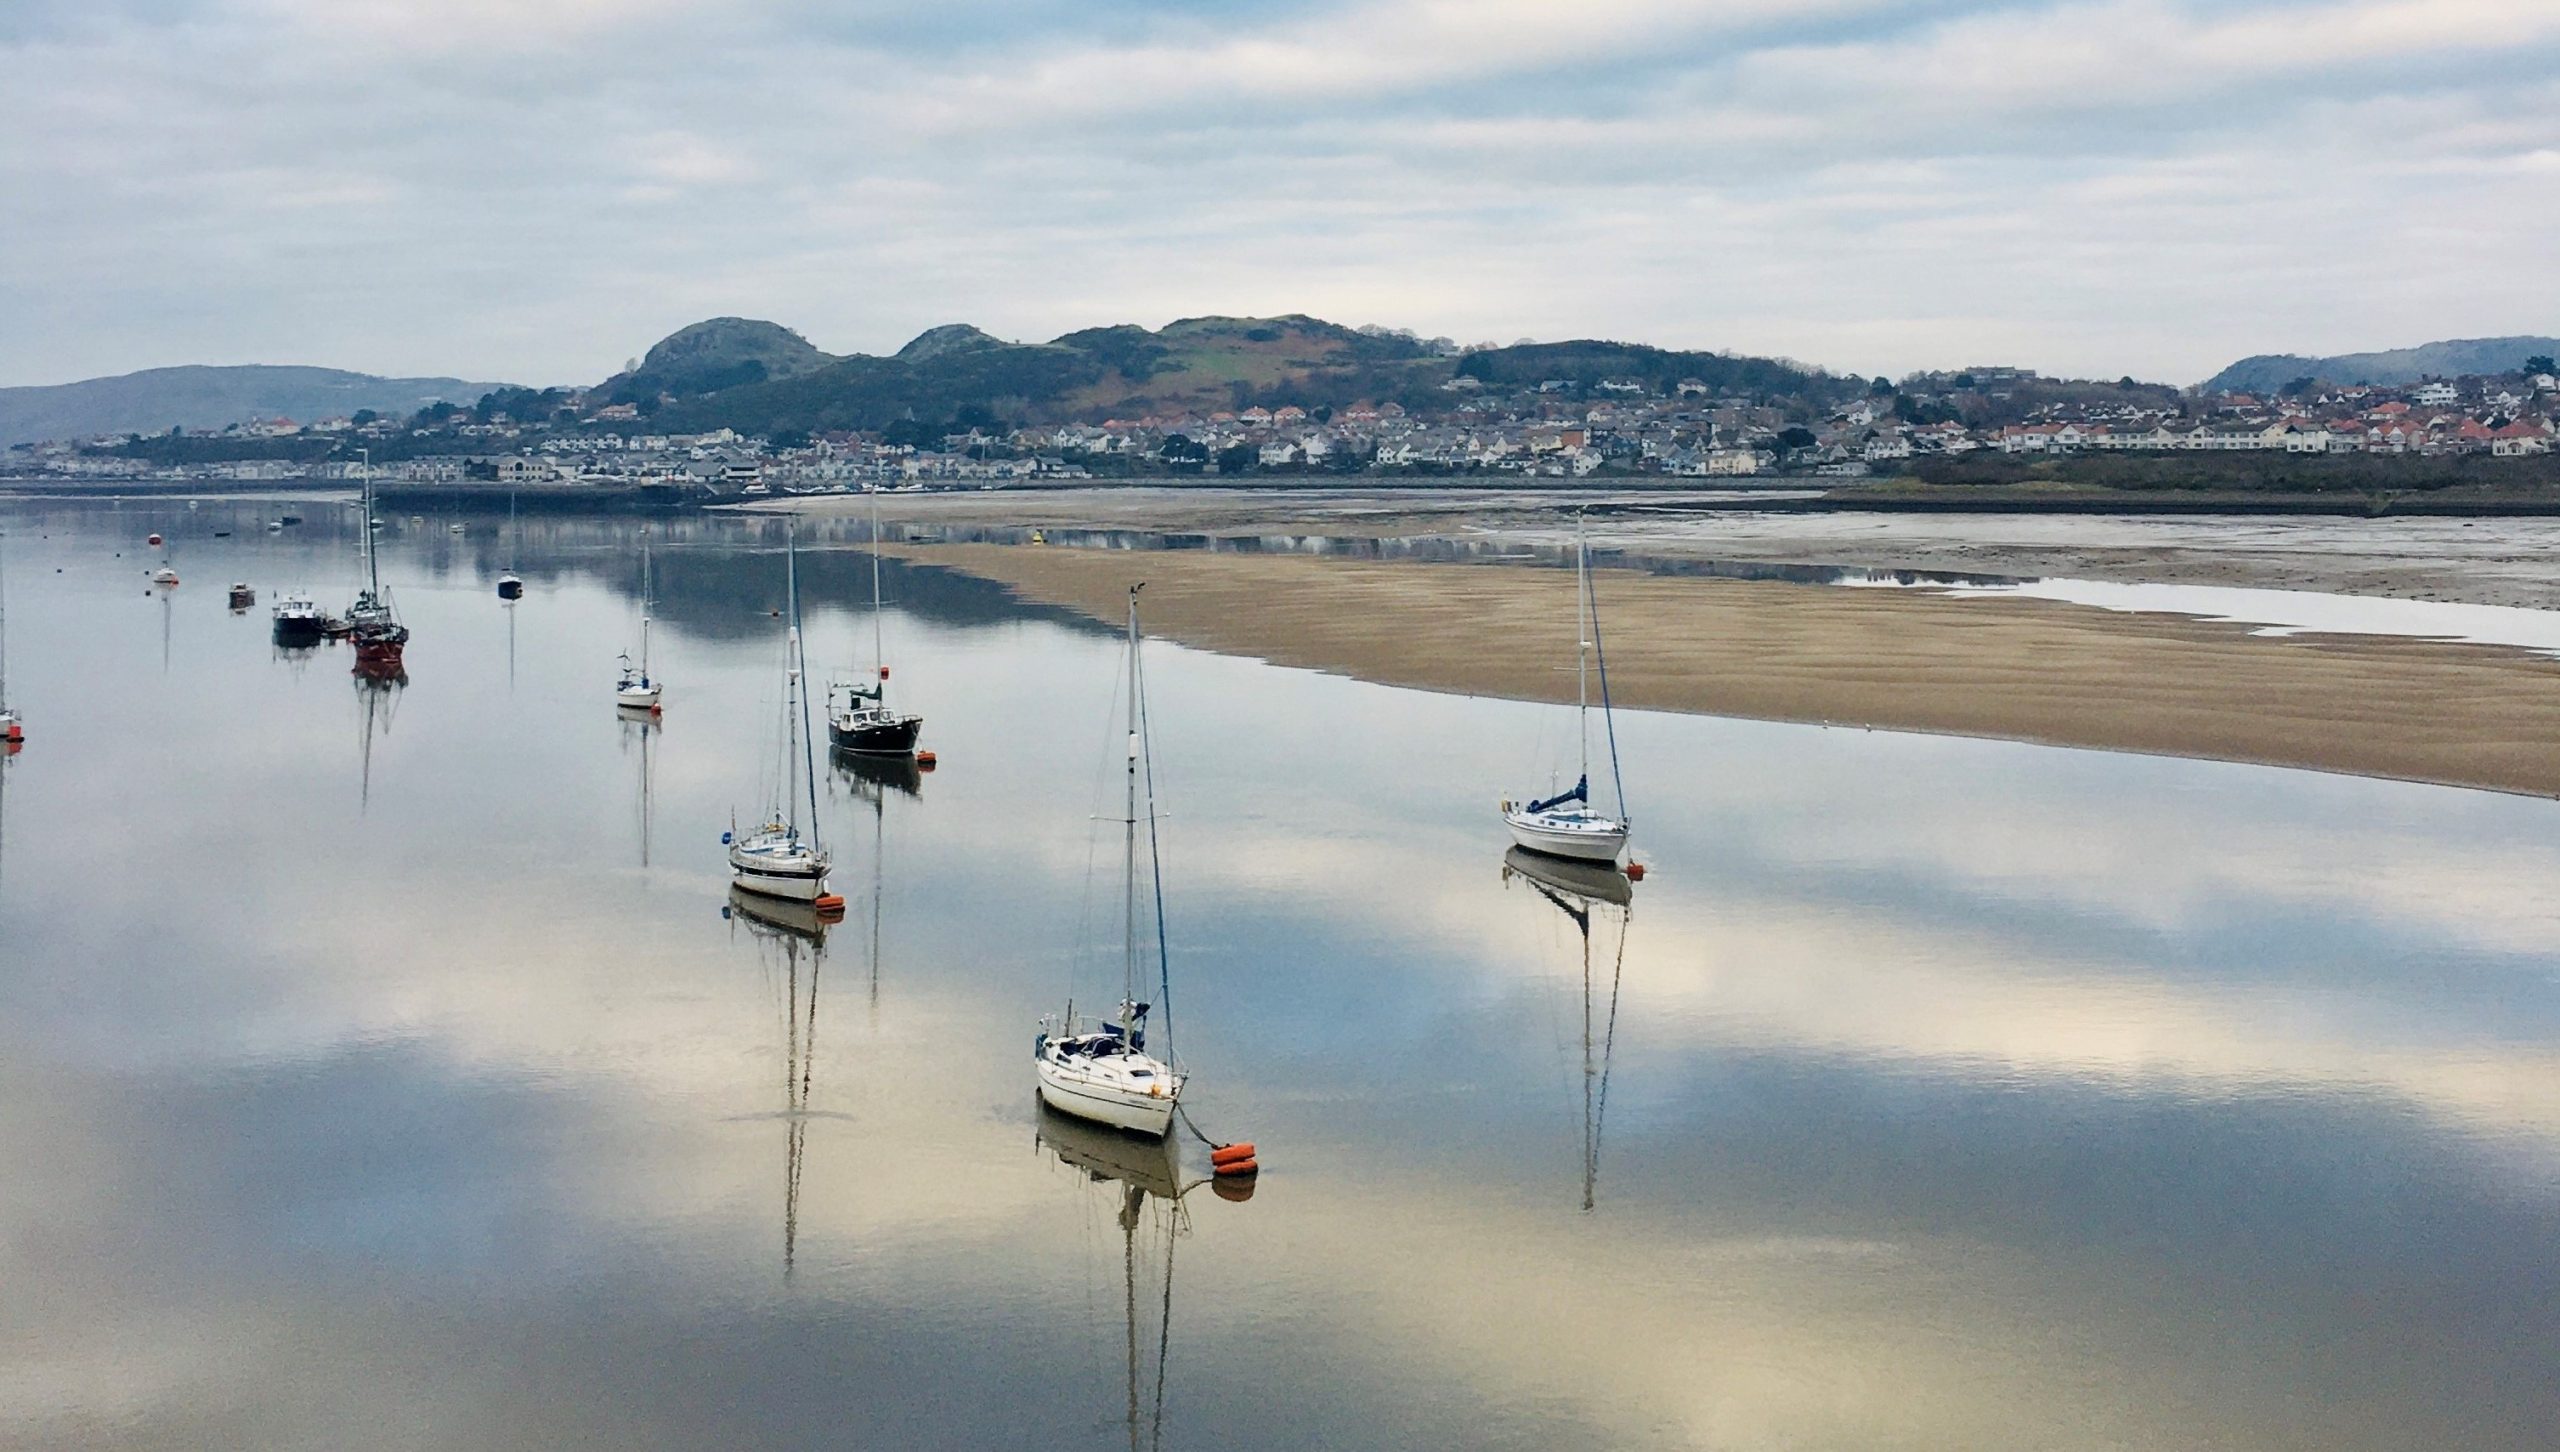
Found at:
[1105, 1072]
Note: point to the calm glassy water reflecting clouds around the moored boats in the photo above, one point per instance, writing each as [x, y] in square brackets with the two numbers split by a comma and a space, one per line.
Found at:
[385, 1069]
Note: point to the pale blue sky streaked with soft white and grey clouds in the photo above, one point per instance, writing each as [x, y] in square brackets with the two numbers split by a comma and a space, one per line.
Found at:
[536, 191]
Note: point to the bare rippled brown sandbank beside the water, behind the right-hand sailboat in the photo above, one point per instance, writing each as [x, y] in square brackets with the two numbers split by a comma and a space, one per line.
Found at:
[2021, 670]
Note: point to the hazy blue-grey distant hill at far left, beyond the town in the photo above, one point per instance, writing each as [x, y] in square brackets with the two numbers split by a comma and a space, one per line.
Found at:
[155, 401]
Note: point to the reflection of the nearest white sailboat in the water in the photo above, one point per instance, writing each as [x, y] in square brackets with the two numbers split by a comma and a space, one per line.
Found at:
[1146, 1187]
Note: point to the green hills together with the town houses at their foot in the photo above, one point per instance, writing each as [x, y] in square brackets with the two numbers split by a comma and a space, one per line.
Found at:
[739, 408]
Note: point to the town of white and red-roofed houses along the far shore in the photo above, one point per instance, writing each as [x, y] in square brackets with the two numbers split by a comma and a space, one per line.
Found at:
[1558, 429]
